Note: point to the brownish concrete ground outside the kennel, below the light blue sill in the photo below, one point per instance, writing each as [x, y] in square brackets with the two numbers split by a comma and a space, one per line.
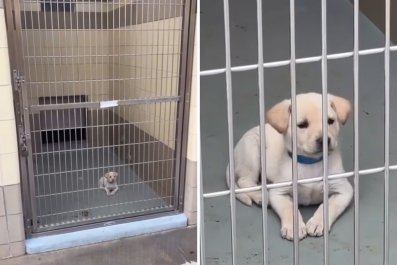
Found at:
[168, 248]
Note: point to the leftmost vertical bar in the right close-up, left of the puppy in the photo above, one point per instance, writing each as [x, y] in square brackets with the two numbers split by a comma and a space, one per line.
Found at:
[230, 128]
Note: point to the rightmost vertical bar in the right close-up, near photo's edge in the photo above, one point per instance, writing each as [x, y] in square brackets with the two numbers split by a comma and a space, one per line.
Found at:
[387, 127]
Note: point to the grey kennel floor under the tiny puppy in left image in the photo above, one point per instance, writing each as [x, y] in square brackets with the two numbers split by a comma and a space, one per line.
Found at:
[72, 196]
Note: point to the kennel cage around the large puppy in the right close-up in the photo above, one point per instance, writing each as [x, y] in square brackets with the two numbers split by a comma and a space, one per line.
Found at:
[295, 47]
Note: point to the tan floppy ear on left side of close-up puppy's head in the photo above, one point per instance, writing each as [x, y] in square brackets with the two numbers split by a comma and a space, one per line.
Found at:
[278, 116]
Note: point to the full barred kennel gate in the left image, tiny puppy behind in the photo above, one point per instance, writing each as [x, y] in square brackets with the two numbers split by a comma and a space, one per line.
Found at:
[98, 89]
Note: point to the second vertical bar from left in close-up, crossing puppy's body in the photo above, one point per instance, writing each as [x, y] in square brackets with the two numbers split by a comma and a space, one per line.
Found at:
[262, 122]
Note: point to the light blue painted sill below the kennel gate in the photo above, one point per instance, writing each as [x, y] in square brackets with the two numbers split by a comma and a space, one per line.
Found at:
[102, 234]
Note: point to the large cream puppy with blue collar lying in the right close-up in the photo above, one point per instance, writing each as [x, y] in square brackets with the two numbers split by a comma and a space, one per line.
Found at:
[279, 161]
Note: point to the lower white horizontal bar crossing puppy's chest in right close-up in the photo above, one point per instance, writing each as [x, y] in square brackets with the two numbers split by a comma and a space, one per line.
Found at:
[301, 181]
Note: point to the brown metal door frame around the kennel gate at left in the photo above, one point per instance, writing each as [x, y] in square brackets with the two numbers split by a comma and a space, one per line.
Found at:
[14, 31]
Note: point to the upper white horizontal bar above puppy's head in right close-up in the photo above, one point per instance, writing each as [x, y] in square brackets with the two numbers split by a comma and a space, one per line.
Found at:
[334, 56]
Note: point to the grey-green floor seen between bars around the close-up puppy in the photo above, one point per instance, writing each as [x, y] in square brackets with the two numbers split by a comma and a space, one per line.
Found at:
[277, 85]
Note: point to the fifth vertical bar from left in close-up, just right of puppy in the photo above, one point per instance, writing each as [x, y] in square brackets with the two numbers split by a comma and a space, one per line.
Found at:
[356, 135]
